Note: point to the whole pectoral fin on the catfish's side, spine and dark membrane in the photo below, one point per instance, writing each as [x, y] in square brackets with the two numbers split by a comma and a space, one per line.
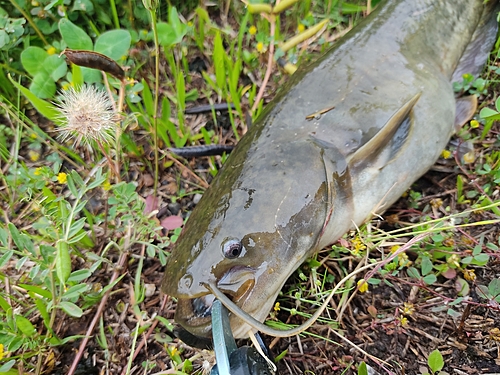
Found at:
[382, 148]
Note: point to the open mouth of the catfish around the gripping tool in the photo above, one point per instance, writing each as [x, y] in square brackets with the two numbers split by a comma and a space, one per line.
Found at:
[194, 315]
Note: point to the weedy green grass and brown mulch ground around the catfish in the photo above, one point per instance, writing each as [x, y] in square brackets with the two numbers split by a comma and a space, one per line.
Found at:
[89, 217]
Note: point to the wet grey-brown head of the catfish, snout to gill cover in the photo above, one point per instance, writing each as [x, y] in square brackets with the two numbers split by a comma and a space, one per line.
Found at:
[252, 228]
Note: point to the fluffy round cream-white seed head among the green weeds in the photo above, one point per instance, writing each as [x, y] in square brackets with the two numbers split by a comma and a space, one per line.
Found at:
[86, 115]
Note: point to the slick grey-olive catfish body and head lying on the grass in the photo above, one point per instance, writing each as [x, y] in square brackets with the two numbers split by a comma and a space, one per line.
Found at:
[293, 186]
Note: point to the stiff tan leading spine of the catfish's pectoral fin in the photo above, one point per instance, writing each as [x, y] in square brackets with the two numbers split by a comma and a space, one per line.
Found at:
[374, 147]
